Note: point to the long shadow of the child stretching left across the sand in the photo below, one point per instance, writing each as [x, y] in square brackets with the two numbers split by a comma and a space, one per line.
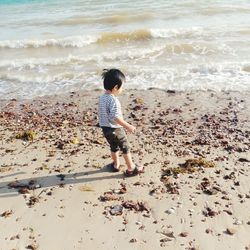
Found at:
[59, 179]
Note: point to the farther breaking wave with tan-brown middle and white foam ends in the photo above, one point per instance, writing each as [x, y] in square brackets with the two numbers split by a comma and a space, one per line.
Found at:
[112, 37]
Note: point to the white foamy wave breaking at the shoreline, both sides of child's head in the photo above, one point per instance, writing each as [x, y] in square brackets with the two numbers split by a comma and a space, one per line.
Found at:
[216, 77]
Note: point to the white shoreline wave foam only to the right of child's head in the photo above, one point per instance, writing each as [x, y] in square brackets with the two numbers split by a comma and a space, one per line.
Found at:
[216, 77]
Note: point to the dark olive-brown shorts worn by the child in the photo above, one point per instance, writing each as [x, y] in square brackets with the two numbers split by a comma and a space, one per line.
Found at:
[117, 139]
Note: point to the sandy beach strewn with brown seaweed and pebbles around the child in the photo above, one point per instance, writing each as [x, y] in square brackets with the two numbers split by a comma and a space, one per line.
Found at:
[56, 191]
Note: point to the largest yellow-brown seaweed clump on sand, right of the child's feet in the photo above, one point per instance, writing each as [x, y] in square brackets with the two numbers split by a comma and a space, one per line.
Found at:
[190, 166]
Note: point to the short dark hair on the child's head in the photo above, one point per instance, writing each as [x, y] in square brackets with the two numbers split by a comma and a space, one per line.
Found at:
[111, 78]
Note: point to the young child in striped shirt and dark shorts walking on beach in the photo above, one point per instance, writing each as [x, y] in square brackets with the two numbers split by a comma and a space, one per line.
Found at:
[112, 123]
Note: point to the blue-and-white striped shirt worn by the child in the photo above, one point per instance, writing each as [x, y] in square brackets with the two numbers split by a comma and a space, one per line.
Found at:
[109, 109]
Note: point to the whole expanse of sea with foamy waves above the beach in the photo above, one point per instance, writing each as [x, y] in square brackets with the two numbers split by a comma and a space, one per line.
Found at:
[54, 46]
